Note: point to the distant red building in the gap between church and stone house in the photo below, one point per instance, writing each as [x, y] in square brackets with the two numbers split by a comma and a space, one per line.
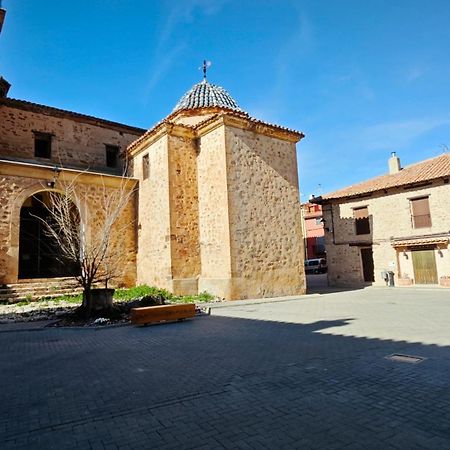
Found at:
[313, 230]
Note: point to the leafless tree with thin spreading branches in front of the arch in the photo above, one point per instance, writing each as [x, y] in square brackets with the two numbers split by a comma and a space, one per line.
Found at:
[95, 248]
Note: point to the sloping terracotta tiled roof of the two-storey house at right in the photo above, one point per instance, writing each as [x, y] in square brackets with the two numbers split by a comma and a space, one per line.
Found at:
[430, 169]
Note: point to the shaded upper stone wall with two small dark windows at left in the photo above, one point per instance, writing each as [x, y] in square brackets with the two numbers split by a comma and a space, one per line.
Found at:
[75, 143]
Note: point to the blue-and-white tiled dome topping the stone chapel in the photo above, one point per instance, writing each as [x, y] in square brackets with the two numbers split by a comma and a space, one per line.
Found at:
[203, 95]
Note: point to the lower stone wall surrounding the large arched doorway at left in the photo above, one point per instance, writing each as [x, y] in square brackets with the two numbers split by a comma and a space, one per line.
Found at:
[18, 183]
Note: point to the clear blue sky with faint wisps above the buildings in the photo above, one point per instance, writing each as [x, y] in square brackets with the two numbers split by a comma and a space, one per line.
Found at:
[359, 78]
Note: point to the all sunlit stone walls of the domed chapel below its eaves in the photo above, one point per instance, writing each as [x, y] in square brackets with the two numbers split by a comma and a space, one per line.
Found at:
[220, 211]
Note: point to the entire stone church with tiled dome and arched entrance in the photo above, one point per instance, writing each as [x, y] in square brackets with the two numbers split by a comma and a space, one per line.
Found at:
[217, 200]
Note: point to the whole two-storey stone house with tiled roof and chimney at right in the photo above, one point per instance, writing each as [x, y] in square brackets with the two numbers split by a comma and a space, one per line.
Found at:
[399, 222]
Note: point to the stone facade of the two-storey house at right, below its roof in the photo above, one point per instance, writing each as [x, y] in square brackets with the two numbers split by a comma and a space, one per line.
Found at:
[390, 218]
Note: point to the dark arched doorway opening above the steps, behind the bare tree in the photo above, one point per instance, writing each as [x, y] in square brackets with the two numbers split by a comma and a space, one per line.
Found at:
[40, 254]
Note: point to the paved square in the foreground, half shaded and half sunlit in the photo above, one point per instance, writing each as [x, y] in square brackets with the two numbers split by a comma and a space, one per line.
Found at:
[306, 373]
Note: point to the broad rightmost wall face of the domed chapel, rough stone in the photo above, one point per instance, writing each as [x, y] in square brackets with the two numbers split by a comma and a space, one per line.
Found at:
[267, 254]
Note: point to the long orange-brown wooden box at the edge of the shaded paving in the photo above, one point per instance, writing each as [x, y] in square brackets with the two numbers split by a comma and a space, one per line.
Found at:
[163, 313]
